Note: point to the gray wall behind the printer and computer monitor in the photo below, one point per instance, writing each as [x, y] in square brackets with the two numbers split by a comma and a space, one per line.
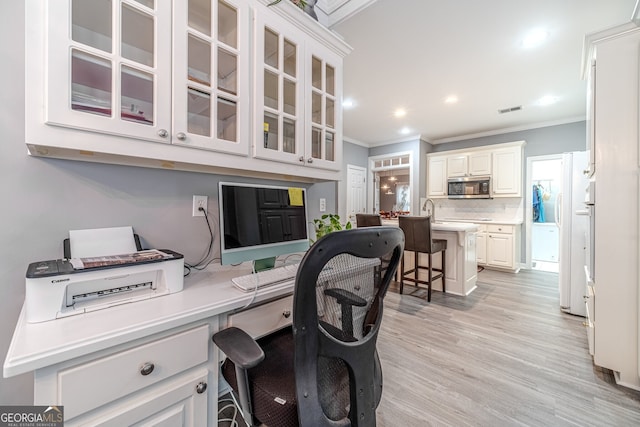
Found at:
[43, 199]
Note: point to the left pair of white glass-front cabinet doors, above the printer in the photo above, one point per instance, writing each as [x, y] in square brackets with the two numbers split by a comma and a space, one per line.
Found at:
[111, 68]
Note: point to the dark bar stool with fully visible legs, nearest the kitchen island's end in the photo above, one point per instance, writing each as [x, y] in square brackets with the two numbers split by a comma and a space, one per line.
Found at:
[417, 239]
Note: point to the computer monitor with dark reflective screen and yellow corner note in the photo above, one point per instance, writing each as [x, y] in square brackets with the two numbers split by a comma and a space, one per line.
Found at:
[261, 221]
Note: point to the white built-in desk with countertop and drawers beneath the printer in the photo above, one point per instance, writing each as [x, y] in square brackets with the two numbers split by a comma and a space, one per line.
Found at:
[92, 363]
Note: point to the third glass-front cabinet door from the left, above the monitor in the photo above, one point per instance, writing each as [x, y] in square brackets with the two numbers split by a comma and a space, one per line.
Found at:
[279, 105]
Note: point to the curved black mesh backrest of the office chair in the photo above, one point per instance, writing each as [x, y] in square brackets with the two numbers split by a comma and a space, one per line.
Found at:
[337, 311]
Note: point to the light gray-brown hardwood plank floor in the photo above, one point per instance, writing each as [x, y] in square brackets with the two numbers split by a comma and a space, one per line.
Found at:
[503, 356]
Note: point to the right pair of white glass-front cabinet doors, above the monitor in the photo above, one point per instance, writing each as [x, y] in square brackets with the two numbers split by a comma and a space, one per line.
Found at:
[297, 109]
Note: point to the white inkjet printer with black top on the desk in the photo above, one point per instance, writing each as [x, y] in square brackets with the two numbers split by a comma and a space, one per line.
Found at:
[70, 286]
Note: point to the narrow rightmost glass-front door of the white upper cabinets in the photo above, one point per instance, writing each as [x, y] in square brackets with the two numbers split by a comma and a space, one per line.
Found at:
[323, 145]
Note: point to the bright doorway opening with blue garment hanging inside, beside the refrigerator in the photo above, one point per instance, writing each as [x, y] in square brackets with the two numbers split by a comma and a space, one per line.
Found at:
[544, 183]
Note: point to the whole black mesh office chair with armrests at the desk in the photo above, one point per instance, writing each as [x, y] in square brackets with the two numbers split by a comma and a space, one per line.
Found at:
[324, 370]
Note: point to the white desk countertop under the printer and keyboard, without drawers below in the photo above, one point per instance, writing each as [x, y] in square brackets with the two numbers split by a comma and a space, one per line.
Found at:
[206, 293]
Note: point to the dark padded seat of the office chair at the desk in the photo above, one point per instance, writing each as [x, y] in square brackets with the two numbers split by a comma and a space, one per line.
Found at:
[273, 383]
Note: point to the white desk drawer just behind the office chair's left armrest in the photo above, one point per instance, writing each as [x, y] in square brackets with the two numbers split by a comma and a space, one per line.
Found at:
[264, 319]
